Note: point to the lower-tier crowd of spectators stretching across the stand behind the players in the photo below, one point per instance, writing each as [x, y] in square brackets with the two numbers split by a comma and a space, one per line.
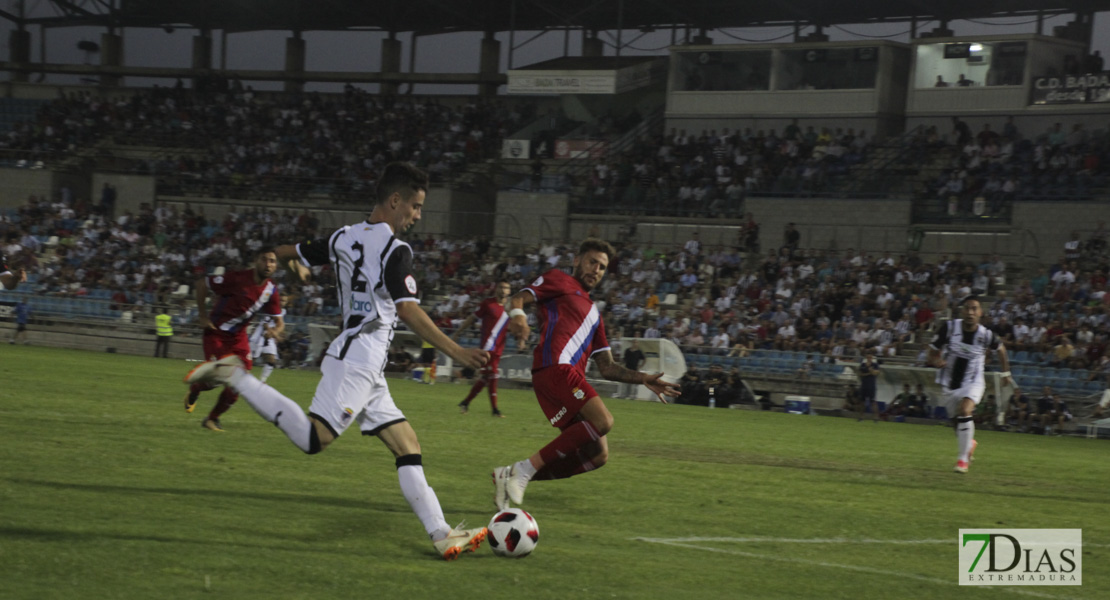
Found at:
[718, 302]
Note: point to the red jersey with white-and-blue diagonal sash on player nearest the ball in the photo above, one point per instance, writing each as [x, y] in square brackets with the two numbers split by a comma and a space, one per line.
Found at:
[571, 329]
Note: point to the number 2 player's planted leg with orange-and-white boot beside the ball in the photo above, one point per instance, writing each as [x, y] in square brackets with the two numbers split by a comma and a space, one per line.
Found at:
[385, 420]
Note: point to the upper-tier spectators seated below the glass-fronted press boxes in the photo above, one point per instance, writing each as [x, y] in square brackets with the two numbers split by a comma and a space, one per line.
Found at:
[711, 174]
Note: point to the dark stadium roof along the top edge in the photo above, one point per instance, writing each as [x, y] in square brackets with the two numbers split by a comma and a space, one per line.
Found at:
[449, 16]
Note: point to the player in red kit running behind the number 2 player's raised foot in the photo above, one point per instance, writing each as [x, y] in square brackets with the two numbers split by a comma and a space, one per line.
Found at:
[241, 296]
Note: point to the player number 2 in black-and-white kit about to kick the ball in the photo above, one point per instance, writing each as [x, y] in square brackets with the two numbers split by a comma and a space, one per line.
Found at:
[376, 287]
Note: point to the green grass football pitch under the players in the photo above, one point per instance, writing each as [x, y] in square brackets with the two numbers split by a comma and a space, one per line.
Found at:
[109, 491]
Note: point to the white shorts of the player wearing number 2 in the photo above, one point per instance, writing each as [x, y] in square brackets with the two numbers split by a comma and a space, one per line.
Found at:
[349, 393]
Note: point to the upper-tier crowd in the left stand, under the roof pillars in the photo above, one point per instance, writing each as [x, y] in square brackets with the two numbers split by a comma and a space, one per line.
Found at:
[235, 140]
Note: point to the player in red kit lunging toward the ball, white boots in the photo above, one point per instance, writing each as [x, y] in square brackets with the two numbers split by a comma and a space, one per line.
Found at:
[571, 333]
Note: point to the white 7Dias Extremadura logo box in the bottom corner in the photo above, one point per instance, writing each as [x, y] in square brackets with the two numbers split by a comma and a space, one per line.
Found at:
[1022, 557]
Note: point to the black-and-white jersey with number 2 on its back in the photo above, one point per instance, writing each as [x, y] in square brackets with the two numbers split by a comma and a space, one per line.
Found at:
[374, 273]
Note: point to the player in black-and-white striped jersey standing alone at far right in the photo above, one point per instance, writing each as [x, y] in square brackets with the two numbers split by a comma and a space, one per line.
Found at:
[960, 352]
